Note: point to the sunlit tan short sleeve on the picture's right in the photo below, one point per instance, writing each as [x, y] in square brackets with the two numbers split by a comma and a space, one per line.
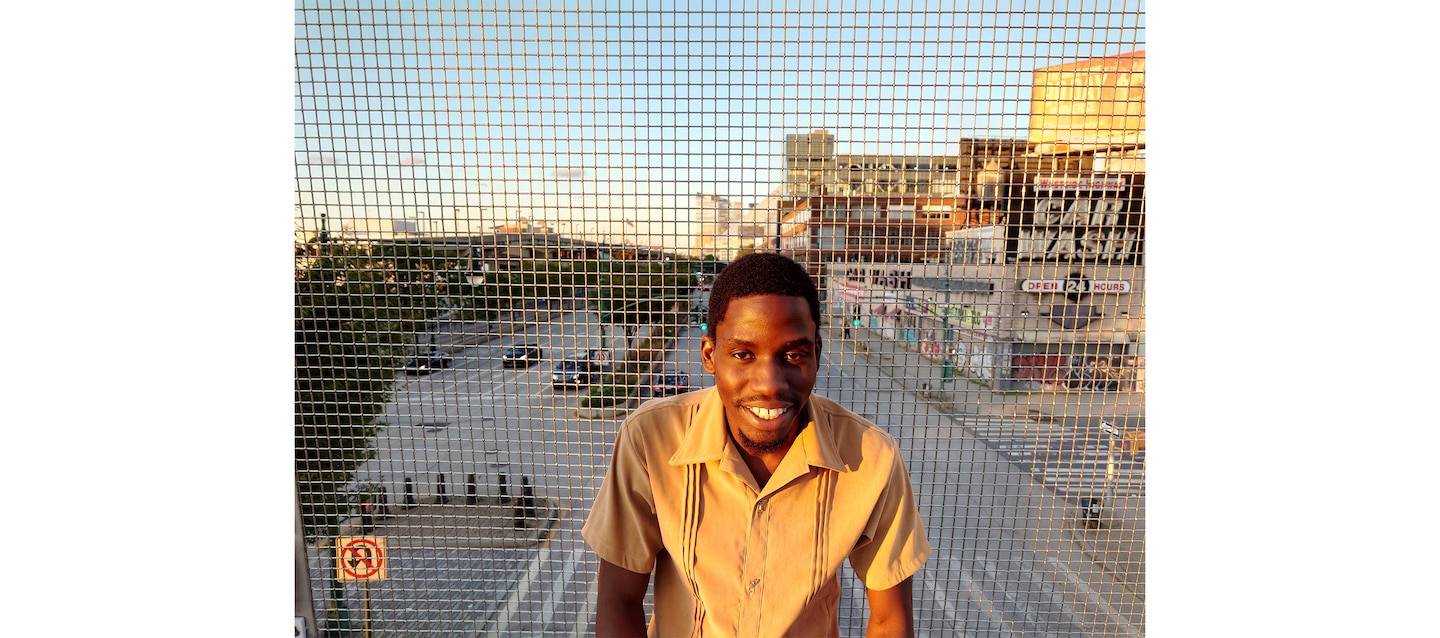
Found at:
[896, 548]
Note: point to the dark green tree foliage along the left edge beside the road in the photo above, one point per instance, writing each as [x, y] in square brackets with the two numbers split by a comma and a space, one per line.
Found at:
[358, 309]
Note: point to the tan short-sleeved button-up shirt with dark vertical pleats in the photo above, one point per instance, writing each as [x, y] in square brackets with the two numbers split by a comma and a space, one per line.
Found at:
[732, 560]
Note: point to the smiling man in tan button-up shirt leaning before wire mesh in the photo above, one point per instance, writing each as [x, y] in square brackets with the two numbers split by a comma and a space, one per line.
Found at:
[744, 499]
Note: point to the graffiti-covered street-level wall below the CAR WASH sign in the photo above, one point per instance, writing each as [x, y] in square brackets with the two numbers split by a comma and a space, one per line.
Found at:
[1009, 326]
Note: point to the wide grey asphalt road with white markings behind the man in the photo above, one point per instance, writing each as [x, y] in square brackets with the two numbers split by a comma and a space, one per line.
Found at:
[1002, 565]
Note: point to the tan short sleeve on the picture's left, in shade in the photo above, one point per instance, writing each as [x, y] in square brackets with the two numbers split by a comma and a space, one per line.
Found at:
[623, 528]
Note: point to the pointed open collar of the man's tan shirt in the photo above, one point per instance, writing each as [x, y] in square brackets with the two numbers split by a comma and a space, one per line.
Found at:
[706, 440]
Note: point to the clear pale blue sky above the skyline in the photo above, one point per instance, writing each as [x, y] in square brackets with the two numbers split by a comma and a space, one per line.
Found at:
[624, 110]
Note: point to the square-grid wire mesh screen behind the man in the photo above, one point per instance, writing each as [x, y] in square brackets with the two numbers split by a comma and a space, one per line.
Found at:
[509, 218]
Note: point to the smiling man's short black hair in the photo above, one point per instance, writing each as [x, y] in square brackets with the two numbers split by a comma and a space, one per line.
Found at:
[761, 274]
